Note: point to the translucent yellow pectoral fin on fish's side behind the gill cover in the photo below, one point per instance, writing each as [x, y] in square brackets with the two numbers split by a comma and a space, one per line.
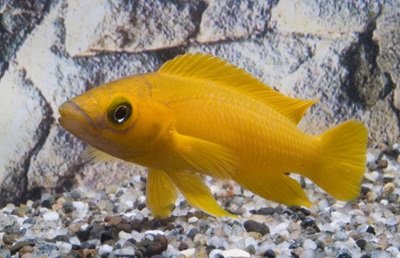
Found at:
[206, 157]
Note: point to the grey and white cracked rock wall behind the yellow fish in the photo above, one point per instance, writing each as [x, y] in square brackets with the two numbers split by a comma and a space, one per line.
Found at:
[345, 53]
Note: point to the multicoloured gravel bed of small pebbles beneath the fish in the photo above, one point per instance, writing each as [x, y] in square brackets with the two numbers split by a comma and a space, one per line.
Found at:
[113, 221]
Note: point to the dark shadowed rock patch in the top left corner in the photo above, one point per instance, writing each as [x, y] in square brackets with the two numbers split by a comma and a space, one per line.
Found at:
[17, 21]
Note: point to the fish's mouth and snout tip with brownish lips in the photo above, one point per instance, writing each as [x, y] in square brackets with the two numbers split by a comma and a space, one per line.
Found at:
[74, 119]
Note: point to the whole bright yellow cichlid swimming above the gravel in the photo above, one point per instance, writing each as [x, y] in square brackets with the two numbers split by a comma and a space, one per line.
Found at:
[198, 115]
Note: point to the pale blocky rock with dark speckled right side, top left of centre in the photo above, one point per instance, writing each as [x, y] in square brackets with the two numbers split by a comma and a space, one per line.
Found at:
[131, 26]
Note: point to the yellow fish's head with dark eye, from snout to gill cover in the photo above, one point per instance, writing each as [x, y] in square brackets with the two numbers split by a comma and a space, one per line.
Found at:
[119, 118]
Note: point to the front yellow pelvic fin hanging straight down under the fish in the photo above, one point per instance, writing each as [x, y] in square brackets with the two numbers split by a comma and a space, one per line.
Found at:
[161, 193]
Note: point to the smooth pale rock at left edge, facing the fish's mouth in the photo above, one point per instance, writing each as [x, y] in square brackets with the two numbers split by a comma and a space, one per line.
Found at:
[25, 115]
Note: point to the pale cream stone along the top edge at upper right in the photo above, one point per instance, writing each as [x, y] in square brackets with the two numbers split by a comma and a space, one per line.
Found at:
[325, 18]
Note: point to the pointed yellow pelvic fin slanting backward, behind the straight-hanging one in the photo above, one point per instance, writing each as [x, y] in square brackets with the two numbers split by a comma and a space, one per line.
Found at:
[197, 193]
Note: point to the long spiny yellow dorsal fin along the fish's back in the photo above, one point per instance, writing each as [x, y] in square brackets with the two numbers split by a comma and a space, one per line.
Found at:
[206, 67]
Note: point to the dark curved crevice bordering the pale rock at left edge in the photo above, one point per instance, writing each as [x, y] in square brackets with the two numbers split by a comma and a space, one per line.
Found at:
[15, 187]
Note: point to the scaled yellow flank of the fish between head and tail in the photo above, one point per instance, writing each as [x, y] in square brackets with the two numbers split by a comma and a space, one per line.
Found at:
[259, 134]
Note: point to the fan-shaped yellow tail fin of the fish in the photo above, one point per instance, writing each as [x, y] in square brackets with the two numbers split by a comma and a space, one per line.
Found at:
[343, 160]
